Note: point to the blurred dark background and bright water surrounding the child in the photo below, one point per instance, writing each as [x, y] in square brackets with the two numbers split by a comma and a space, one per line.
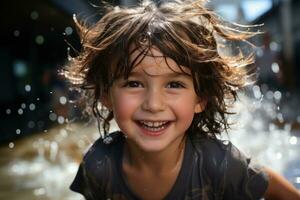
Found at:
[43, 133]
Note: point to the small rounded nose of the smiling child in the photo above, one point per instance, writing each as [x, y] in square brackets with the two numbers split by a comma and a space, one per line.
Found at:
[153, 101]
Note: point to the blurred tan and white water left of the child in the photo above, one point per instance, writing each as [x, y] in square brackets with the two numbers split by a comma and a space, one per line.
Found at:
[43, 166]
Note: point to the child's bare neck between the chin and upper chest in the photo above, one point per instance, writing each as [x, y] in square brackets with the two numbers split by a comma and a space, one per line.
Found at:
[163, 161]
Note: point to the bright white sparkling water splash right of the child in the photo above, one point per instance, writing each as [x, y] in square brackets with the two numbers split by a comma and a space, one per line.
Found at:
[262, 133]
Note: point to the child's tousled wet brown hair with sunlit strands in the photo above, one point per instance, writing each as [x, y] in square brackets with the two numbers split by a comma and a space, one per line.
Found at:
[185, 31]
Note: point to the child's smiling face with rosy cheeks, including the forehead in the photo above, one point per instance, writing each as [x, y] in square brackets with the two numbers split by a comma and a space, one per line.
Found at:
[156, 105]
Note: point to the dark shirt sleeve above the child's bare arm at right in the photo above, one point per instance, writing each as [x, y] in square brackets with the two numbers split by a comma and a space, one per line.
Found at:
[242, 178]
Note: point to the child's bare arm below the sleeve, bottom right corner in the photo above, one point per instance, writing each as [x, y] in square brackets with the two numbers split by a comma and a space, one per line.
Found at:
[279, 188]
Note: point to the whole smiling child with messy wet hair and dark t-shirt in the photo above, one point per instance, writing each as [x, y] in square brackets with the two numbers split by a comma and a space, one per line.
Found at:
[157, 70]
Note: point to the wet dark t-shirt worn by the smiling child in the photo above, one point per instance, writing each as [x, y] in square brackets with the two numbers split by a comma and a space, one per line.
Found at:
[210, 170]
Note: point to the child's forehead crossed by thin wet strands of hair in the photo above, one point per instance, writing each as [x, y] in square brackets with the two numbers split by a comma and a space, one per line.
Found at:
[155, 63]
